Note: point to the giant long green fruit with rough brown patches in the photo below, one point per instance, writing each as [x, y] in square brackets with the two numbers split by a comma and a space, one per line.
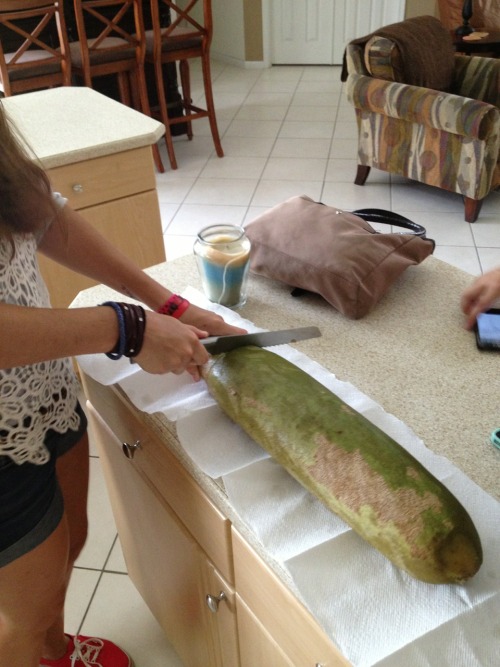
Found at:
[353, 467]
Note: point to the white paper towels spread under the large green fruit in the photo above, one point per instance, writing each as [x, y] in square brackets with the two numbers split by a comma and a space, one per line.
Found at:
[378, 615]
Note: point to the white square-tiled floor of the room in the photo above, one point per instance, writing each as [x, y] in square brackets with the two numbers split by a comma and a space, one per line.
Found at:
[285, 131]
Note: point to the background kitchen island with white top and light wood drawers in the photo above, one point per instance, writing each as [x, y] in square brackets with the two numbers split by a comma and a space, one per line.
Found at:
[97, 153]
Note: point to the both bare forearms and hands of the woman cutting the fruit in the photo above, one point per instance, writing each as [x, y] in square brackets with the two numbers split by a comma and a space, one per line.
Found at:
[31, 335]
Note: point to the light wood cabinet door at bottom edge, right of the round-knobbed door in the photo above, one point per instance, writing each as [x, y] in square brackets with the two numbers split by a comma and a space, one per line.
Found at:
[257, 647]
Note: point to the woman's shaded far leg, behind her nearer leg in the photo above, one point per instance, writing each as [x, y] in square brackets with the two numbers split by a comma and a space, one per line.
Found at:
[73, 476]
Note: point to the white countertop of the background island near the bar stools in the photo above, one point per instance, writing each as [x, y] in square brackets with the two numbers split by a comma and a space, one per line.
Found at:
[71, 124]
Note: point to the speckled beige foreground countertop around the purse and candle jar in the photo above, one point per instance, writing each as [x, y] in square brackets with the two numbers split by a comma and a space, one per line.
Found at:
[411, 355]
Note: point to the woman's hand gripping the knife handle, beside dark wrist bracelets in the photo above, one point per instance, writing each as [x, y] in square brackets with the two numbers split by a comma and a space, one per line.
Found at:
[171, 347]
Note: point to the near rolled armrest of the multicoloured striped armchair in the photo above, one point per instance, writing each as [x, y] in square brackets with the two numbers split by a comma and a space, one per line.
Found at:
[443, 111]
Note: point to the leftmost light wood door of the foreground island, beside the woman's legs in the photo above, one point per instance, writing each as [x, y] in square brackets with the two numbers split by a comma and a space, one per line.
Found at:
[163, 560]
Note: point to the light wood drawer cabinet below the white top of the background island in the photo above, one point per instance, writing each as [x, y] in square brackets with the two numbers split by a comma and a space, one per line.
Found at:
[117, 195]
